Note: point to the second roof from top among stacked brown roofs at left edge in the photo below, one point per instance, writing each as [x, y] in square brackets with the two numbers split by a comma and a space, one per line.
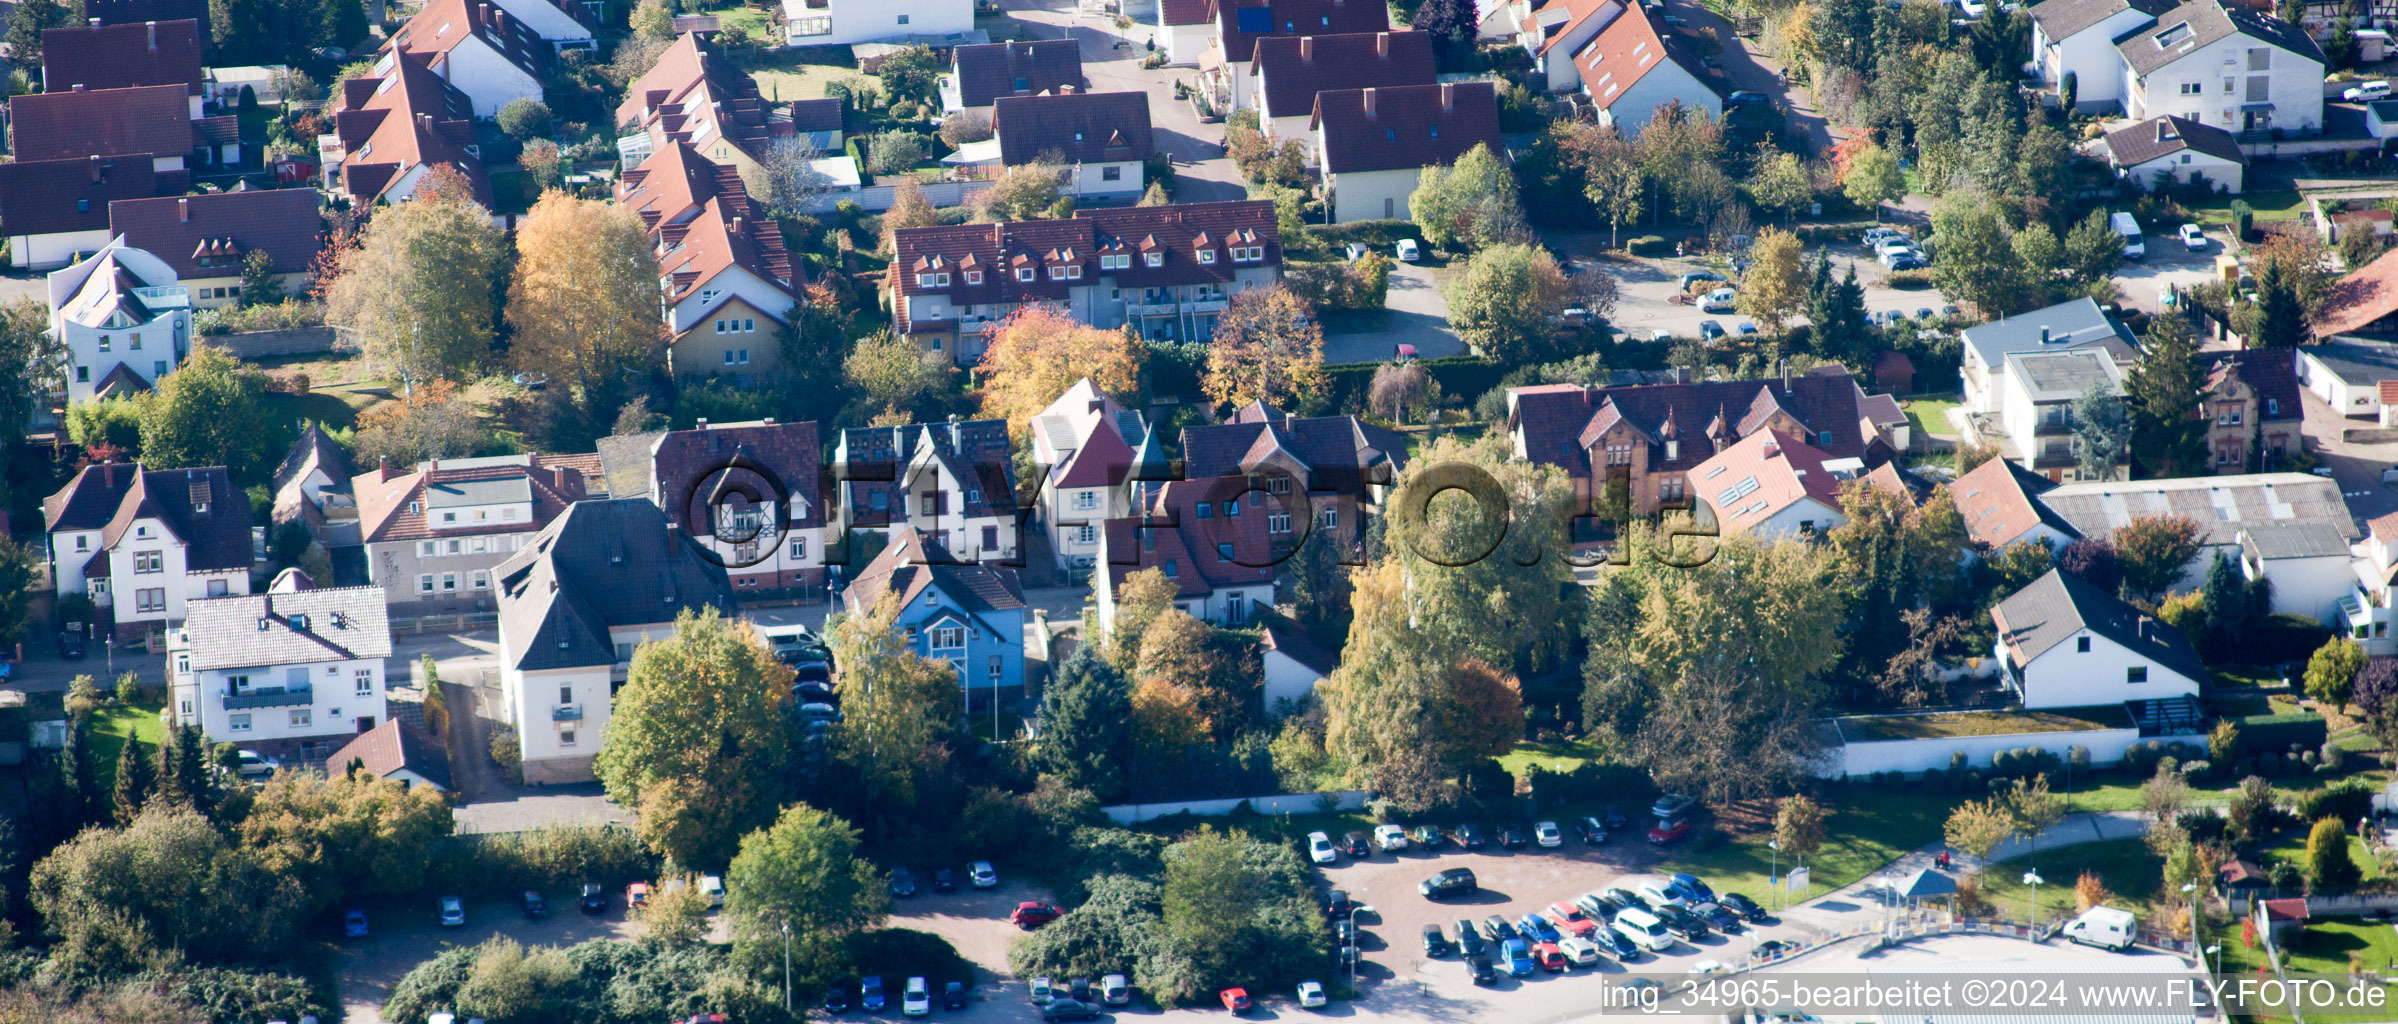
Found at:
[71, 126]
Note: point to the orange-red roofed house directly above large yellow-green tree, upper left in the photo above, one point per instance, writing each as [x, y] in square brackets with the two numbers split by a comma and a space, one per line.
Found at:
[394, 128]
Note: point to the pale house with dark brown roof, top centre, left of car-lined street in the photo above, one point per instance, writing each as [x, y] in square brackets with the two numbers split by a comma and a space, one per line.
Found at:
[1102, 138]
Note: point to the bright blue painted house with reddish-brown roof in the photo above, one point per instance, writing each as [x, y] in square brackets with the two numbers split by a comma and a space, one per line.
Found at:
[958, 613]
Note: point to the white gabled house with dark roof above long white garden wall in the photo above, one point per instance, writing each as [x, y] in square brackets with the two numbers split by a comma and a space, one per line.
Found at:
[2066, 644]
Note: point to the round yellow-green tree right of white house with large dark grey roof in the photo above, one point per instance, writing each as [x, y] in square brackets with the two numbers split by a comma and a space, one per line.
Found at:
[697, 740]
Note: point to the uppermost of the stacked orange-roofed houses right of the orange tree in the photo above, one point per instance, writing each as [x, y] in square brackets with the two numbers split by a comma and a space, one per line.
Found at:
[701, 97]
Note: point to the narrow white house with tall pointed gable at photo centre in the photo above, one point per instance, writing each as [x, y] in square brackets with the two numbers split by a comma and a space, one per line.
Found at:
[1092, 452]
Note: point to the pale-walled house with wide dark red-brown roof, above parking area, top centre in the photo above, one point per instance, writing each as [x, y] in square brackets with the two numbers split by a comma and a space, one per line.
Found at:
[1373, 145]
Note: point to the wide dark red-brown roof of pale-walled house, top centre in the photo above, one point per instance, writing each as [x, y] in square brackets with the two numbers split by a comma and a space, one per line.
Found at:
[1406, 128]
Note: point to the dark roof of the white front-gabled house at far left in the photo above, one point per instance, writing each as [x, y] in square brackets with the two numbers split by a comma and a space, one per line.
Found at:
[200, 507]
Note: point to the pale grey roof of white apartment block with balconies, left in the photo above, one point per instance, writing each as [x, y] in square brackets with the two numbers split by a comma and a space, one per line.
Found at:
[251, 632]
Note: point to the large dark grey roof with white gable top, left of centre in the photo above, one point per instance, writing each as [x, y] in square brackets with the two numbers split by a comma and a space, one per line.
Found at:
[601, 565]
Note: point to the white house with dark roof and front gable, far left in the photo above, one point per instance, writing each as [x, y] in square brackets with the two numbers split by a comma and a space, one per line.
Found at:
[147, 543]
